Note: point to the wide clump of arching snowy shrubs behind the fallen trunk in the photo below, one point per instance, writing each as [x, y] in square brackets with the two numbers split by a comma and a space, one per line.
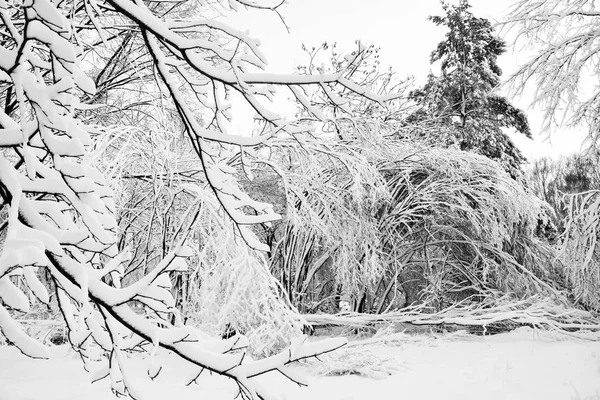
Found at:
[427, 223]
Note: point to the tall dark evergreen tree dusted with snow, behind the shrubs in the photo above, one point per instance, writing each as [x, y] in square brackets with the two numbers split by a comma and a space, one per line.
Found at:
[463, 97]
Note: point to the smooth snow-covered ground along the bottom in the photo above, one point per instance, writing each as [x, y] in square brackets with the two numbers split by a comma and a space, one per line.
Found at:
[519, 365]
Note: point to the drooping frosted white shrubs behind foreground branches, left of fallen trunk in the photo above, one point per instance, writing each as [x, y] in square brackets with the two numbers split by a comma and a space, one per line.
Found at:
[154, 175]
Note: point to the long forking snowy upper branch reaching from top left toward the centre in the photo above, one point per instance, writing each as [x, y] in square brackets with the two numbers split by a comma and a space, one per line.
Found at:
[215, 63]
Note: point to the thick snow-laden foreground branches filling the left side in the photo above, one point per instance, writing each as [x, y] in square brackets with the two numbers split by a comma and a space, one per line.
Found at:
[61, 211]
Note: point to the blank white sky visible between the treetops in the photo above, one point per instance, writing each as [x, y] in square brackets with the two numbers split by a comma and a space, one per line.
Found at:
[405, 36]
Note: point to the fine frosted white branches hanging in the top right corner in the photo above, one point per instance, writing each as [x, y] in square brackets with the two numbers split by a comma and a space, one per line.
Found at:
[563, 36]
